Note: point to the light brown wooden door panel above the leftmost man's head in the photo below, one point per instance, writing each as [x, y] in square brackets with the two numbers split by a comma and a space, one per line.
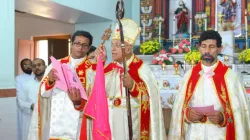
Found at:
[25, 49]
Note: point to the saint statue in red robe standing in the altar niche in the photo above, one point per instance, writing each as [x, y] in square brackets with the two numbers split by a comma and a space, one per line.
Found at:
[181, 13]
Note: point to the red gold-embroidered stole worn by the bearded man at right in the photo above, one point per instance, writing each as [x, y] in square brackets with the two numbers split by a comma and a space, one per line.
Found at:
[222, 92]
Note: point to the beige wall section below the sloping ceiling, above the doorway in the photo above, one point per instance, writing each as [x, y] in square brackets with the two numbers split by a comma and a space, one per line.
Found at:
[27, 25]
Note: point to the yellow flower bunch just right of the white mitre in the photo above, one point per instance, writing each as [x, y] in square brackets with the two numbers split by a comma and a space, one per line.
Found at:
[150, 47]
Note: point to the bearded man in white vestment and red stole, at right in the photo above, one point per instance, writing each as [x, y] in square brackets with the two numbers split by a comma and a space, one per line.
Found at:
[210, 83]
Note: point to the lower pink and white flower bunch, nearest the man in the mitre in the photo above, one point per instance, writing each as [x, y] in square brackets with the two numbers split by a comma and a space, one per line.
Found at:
[162, 57]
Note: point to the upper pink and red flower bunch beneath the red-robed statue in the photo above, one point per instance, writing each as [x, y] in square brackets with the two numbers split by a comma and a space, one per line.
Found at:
[182, 47]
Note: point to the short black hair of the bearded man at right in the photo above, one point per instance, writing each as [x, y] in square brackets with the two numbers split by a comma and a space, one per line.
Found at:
[211, 34]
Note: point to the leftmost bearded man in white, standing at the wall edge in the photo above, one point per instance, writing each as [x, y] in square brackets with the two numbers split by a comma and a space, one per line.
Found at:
[20, 81]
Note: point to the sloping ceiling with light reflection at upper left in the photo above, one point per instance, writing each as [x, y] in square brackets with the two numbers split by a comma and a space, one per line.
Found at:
[48, 9]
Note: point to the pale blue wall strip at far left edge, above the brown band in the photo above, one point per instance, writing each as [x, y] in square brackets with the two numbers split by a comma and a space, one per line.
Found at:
[7, 49]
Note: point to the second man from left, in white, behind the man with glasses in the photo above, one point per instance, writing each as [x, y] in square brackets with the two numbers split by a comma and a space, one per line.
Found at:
[29, 94]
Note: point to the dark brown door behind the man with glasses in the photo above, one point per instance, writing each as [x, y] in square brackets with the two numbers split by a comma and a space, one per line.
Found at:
[57, 48]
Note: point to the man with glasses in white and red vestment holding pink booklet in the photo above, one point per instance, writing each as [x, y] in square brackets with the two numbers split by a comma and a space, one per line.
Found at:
[57, 114]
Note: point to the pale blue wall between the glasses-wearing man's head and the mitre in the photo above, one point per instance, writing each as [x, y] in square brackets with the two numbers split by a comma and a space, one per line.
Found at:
[97, 30]
